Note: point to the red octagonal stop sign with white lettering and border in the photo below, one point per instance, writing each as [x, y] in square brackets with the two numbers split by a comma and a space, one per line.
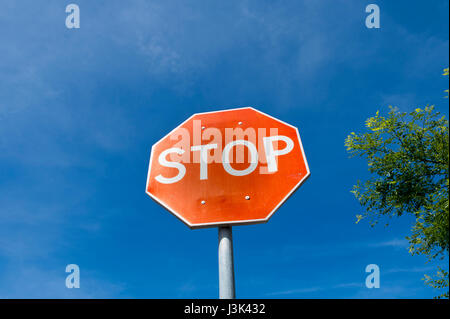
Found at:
[228, 167]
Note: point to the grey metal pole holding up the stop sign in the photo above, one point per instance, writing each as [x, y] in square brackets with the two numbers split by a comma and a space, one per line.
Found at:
[226, 263]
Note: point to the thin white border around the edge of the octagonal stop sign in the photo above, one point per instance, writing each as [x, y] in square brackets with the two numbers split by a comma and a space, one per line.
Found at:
[240, 222]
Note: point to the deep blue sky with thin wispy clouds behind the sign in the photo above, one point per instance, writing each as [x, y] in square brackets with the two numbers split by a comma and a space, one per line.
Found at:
[80, 110]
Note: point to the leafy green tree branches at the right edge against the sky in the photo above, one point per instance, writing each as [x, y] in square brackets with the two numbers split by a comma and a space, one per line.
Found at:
[408, 157]
